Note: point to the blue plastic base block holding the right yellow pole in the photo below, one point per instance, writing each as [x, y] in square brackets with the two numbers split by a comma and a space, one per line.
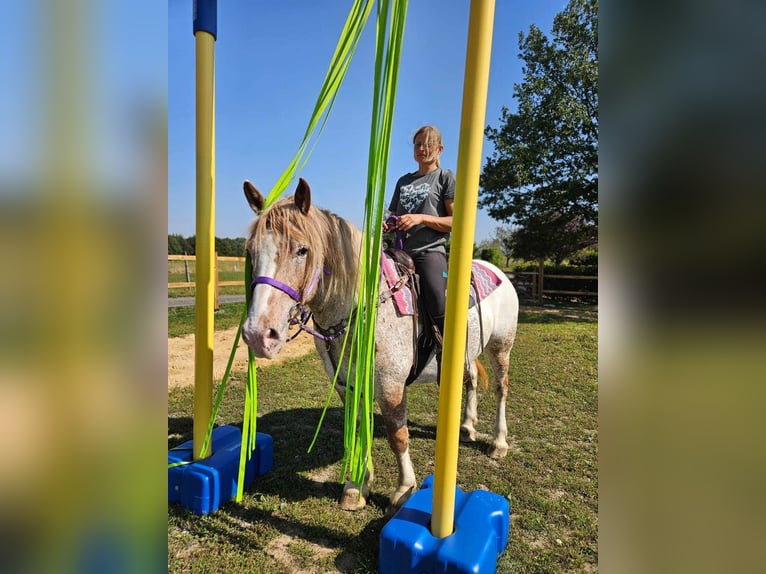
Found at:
[481, 533]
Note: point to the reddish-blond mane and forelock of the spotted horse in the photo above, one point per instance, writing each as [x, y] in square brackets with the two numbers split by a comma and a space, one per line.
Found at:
[333, 244]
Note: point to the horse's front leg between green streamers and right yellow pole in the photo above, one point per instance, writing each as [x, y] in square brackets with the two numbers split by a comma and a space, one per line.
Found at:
[393, 407]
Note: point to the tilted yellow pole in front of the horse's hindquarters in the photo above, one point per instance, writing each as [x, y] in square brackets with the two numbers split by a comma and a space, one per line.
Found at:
[461, 253]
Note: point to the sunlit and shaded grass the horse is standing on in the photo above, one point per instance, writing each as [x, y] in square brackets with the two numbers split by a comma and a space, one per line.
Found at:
[289, 520]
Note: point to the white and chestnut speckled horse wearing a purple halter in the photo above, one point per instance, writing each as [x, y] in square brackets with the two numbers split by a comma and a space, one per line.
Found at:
[304, 256]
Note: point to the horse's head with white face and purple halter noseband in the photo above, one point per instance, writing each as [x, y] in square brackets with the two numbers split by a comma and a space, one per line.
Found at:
[287, 257]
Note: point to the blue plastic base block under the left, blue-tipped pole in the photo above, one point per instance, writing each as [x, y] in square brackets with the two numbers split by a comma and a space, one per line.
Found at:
[204, 485]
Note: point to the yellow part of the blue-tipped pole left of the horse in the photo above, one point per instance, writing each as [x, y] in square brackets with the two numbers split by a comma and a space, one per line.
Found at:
[205, 242]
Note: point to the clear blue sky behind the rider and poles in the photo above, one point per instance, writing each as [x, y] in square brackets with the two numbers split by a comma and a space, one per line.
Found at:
[271, 58]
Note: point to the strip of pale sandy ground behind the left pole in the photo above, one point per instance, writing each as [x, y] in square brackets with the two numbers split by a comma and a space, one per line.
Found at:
[181, 356]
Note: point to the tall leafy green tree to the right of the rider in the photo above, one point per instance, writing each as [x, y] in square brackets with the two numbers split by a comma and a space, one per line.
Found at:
[543, 173]
